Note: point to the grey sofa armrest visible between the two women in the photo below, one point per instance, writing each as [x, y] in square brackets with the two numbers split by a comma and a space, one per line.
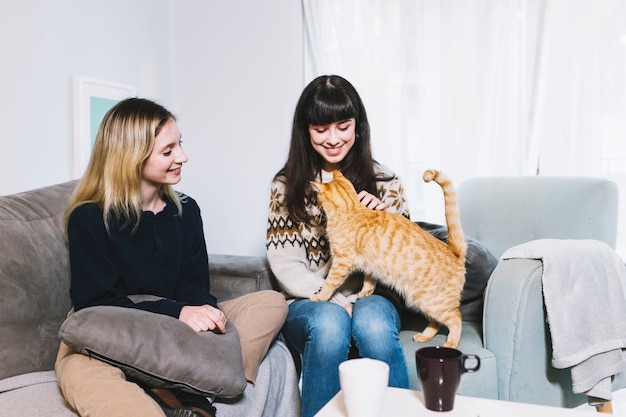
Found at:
[236, 275]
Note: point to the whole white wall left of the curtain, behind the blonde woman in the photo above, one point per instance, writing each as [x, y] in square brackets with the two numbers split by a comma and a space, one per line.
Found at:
[231, 71]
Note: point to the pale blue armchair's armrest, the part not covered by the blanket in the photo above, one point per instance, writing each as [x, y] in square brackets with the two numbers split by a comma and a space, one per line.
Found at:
[515, 330]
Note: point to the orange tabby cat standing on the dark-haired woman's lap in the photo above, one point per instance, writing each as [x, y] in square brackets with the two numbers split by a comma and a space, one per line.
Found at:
[392, 249]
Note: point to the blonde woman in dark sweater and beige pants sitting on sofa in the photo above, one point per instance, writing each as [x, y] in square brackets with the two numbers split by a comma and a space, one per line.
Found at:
[130, 233]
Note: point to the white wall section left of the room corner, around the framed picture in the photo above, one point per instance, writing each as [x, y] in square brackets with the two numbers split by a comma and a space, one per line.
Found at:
[43, 44]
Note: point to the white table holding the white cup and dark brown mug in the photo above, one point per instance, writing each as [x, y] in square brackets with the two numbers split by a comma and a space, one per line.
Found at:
[409, 403]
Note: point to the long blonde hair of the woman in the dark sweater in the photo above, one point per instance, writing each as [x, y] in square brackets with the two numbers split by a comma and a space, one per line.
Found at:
[112, 179]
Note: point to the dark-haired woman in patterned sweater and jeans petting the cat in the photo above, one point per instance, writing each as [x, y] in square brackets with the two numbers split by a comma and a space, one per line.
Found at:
[330, 131]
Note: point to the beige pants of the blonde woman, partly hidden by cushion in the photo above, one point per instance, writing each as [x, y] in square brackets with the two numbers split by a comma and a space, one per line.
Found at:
[97, 389]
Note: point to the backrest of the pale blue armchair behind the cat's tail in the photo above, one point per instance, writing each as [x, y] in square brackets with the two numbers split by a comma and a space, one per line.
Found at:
[502, 212]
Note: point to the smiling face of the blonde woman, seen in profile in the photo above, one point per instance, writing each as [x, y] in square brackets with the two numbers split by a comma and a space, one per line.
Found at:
[163, 166]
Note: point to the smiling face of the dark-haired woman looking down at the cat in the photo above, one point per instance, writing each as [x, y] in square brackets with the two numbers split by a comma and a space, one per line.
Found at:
[333, 141]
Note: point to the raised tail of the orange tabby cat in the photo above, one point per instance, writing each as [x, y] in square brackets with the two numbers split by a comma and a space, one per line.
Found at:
[456, 238]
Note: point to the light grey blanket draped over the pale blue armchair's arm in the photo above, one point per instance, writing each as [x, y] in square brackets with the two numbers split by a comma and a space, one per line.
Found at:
[584, 290]
